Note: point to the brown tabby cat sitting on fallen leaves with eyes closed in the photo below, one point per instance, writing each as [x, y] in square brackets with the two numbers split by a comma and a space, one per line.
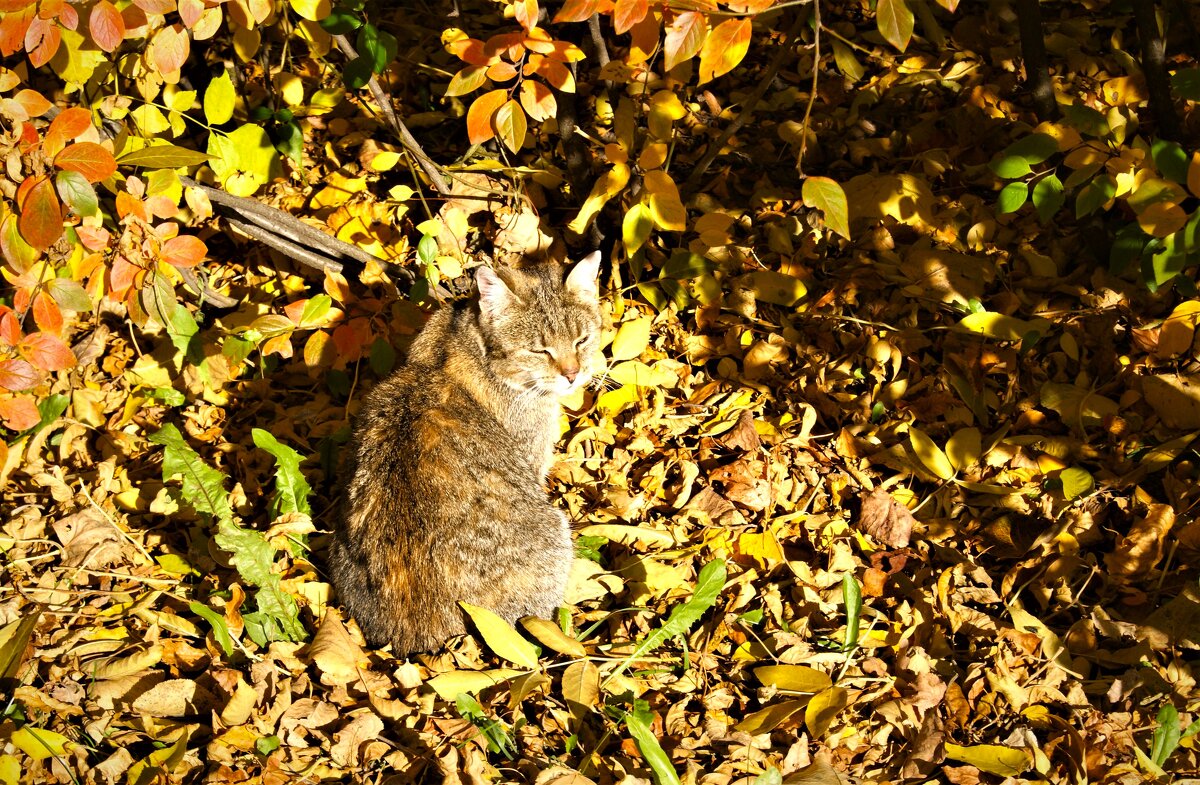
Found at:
[445, 475]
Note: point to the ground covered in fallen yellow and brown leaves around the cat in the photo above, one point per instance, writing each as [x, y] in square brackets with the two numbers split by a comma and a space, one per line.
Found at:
[949, 469]
